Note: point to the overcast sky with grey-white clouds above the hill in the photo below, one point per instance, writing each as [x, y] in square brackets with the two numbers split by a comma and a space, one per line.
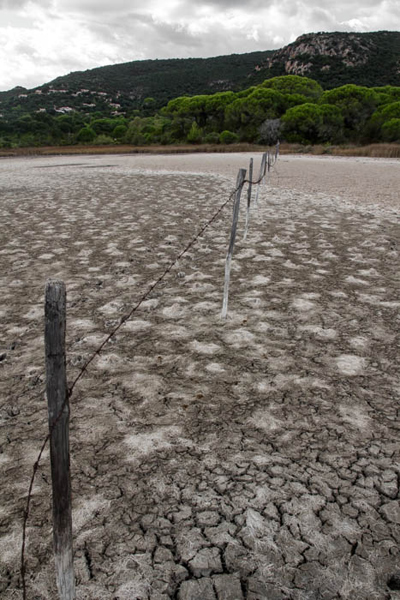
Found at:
[42, 39]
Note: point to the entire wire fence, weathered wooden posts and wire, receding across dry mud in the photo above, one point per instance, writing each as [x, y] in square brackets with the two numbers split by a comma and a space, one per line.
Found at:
[59, 394]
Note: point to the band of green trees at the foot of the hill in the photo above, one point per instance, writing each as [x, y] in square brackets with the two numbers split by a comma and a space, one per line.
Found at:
[289, 108]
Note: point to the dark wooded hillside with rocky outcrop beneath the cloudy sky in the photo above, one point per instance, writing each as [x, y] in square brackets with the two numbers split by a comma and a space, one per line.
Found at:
[332, 59]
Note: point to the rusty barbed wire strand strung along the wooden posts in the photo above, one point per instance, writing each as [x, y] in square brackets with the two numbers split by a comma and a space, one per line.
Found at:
[99, 349]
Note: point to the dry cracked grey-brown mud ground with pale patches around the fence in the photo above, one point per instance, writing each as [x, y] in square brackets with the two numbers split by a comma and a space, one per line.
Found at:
[254, 458]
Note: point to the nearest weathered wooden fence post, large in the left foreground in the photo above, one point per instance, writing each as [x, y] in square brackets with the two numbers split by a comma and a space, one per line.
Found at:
[58, 409]
